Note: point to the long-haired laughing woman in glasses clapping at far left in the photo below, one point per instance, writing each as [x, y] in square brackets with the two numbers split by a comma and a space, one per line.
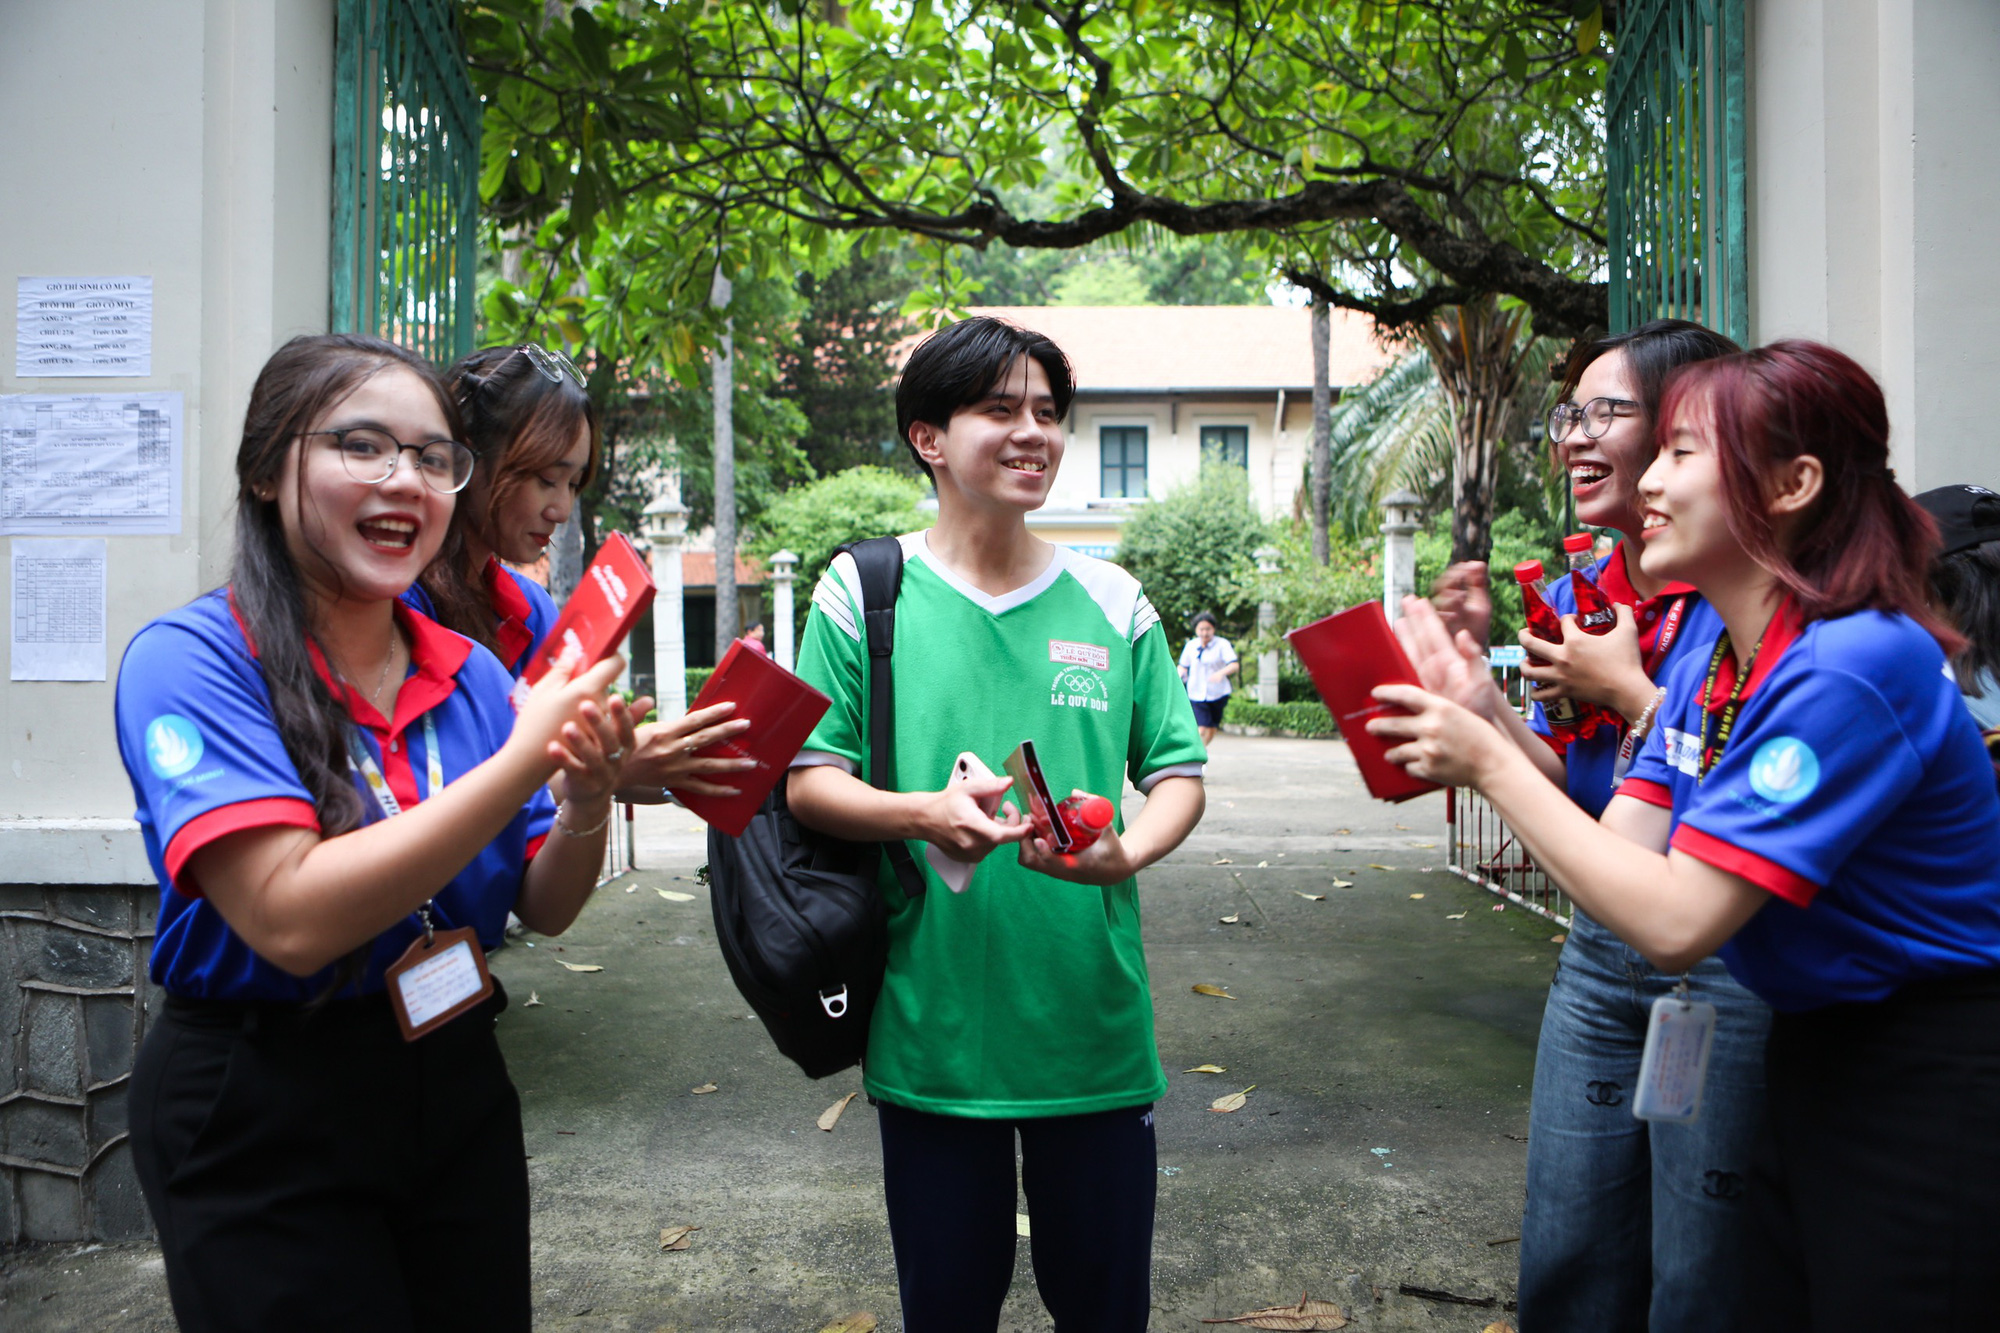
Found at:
[329, 788]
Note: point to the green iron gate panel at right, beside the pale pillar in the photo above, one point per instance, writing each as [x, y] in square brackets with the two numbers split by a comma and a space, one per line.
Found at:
[1675, 123]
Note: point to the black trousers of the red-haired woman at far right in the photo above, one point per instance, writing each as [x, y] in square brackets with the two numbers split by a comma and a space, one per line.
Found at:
[1875, 1192]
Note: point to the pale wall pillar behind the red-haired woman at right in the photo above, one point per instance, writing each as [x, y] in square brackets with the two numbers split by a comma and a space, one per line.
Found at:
[1875, 171]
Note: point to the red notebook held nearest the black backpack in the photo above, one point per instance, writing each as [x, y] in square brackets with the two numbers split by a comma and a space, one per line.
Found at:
[781, 710]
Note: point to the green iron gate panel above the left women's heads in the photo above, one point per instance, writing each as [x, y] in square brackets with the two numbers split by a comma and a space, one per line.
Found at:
[407, 161]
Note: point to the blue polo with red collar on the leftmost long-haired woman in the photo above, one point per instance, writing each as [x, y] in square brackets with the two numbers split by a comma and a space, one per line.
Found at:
[205, 758]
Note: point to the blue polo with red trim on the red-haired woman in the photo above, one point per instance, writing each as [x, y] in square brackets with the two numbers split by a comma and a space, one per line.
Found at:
[1855, 792]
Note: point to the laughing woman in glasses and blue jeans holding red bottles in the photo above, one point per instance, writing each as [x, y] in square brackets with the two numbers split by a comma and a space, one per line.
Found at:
[1627, 1224]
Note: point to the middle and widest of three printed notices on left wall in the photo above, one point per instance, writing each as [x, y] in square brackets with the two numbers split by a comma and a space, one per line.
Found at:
[91, 463]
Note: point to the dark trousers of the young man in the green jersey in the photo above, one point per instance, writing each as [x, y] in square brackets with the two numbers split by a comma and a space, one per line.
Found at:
[1091, 1184]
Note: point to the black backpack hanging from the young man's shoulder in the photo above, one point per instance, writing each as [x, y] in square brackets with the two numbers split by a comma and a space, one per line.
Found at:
[799, 914]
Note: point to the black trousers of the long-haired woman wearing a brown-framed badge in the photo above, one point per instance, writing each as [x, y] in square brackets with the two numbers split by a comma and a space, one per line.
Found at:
[317, 1172]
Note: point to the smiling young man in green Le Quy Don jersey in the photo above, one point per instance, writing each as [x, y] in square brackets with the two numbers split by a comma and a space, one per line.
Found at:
[1019, 1006]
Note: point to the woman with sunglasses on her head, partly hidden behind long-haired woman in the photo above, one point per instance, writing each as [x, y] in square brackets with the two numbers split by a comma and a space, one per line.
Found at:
[535, 433]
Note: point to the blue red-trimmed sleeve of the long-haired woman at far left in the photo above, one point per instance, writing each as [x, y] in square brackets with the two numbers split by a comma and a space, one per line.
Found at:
[199, 740]
